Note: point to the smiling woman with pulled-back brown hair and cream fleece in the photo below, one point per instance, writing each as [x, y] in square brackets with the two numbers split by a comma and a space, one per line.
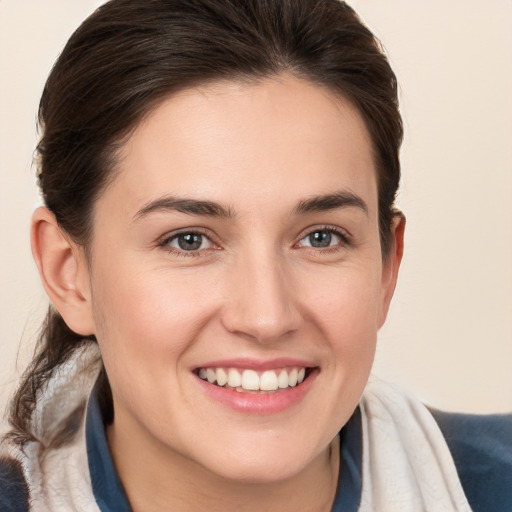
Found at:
[220, 246]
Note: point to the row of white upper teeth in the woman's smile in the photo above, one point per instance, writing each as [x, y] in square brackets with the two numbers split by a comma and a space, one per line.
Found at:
[250, 380]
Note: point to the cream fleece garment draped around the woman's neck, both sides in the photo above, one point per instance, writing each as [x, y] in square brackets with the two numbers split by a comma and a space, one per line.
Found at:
[406, 463]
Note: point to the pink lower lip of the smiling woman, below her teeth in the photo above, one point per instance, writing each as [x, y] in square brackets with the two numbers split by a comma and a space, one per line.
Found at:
[259, 403]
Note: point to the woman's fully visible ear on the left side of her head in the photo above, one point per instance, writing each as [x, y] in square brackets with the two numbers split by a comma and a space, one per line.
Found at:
[64, 273]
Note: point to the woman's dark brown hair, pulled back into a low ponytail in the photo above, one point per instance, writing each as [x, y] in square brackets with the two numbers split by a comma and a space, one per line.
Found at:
[130, 54]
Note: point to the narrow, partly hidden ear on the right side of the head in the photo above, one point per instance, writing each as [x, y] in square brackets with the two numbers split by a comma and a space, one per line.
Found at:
[391, 265]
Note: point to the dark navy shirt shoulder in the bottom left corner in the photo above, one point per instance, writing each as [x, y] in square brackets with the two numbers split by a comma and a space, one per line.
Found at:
[13, 488]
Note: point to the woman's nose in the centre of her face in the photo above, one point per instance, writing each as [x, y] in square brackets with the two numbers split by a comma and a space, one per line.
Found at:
[261, 301]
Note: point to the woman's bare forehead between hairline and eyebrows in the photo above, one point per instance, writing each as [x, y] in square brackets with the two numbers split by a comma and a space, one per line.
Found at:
[275, 140]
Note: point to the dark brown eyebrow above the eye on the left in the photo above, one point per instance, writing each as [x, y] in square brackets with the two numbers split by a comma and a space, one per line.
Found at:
[184, 205]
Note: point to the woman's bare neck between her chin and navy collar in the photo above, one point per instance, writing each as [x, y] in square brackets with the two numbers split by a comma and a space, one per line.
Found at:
[156, 480]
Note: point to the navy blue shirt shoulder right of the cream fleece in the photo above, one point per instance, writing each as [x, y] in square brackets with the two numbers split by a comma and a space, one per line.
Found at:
[481, 447]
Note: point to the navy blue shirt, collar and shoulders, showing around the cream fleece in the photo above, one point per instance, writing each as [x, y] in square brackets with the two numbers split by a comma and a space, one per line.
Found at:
[481, 447]
